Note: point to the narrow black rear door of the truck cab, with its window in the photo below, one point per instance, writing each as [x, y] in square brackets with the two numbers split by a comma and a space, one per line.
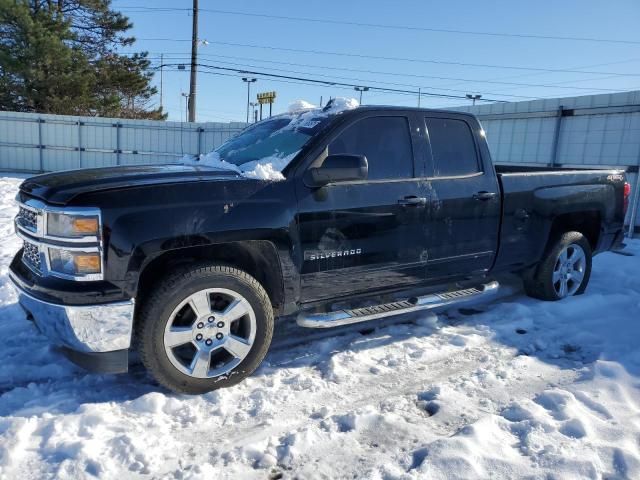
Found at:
[465, 198]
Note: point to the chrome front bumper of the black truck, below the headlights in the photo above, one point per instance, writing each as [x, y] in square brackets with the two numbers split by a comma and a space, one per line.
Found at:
[95, 336]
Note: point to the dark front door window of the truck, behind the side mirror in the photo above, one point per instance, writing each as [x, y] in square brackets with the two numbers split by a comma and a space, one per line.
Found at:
[386, 143]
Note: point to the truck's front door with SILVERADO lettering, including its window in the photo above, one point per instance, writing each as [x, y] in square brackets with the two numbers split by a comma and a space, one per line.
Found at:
[360, 236]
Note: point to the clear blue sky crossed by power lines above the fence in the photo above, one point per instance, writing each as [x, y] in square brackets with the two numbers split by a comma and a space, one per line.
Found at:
[223, 98]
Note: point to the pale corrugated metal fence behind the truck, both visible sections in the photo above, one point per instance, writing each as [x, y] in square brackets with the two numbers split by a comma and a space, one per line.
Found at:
[589, 131]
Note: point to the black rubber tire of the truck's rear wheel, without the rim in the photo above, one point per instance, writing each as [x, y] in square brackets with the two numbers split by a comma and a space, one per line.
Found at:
[540, 283]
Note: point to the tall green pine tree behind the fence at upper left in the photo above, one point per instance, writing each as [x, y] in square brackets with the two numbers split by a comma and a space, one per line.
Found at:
[62, 56]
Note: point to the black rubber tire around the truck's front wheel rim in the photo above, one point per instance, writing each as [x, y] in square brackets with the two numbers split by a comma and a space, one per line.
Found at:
[167, 295]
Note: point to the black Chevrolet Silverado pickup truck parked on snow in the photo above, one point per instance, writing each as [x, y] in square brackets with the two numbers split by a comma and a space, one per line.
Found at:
[362, 213]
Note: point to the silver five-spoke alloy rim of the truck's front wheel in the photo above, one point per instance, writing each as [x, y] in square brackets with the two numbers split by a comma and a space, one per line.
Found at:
[210, 332]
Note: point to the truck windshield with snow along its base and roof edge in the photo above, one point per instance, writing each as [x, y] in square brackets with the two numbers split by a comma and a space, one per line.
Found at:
[275, 144]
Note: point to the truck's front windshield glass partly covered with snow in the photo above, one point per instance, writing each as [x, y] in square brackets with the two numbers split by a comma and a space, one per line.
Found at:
[278, 137]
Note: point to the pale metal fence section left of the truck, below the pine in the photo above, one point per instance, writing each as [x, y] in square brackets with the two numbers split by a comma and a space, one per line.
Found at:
[37, 143]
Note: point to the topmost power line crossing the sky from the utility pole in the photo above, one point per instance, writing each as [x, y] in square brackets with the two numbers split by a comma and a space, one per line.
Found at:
[348, 23]
